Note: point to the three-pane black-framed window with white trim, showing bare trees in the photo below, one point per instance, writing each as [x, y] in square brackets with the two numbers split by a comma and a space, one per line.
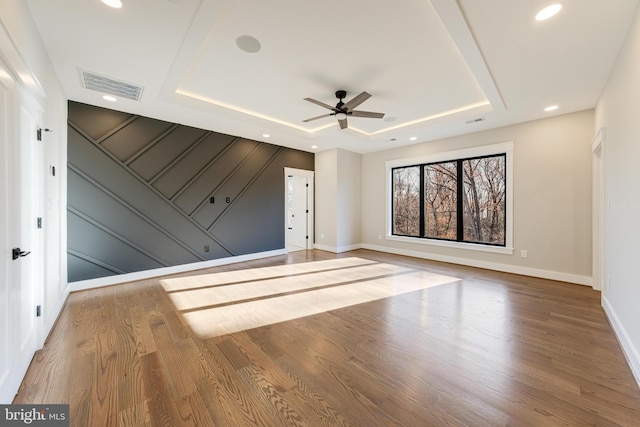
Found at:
[461, 197]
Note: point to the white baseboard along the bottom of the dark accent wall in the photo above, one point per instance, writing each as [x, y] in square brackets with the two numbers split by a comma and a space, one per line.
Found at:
[147, 274]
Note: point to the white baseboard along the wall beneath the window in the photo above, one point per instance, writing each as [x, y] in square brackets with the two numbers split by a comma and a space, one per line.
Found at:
[525, 271]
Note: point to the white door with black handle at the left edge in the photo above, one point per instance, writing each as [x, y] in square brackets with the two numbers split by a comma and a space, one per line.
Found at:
[21, 190]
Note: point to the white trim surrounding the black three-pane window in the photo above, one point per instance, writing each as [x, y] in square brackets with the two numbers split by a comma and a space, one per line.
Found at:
[484, 150]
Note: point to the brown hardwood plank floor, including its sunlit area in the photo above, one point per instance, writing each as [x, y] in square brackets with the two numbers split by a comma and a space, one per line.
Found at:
[472, 348]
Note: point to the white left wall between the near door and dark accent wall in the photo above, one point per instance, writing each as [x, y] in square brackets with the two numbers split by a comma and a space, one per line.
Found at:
[17, 23]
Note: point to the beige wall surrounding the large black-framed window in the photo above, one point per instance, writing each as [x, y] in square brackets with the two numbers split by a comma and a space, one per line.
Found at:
[552, 198]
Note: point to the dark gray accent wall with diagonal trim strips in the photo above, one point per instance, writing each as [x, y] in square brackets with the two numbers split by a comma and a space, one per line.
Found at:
[139, 193]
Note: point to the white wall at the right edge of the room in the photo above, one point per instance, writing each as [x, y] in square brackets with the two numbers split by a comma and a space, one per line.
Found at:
[618, 112]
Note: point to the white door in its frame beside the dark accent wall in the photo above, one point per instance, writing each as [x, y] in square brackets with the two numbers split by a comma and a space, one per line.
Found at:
[298, 209]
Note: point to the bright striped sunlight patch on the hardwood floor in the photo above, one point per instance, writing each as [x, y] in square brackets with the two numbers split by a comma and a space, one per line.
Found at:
[312, 290]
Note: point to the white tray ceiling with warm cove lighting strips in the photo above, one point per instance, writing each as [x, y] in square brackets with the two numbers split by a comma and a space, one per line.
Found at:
[430, 66]
